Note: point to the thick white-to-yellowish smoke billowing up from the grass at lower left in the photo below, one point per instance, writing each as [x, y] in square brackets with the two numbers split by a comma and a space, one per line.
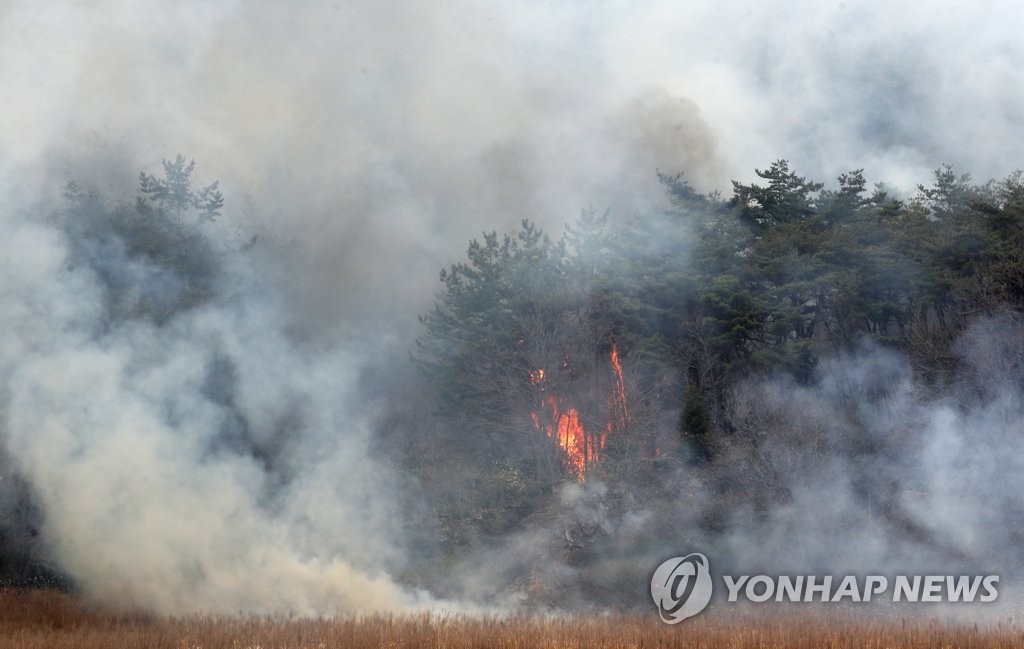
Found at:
[201, 463]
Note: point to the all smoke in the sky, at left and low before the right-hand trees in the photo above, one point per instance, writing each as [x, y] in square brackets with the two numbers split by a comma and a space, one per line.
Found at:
[217, 455]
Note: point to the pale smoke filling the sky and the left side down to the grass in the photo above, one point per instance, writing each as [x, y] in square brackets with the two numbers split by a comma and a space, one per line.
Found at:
[363, 144]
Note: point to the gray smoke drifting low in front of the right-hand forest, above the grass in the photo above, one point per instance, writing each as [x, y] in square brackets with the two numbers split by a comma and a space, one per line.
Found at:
[867, 470]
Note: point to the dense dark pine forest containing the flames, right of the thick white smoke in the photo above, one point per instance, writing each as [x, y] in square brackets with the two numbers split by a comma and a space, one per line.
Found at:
[710, 363]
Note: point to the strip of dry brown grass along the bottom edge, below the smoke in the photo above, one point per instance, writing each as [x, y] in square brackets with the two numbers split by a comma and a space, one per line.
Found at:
[53, 620]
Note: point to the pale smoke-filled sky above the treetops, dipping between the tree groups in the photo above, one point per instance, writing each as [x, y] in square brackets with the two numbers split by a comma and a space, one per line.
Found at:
[367, 142]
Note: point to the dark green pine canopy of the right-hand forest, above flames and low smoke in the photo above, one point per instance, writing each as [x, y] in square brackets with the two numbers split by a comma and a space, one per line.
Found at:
[711, 291]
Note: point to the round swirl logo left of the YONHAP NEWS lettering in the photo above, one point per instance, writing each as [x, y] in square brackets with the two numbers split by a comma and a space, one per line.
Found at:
[681, 588]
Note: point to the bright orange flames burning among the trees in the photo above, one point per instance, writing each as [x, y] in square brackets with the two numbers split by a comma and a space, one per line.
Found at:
[564, 423]
